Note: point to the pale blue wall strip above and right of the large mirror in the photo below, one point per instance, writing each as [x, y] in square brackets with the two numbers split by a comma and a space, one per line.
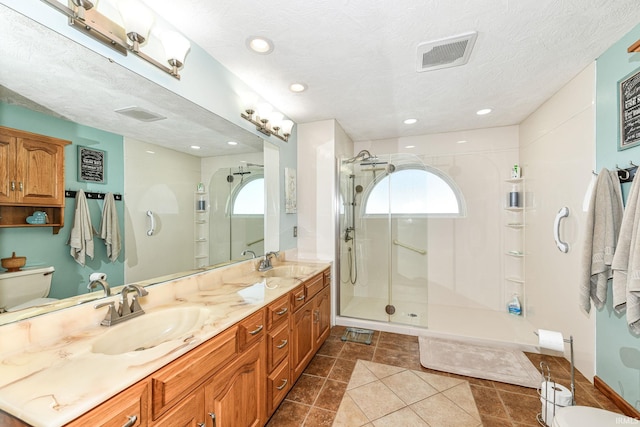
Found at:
[205, 81]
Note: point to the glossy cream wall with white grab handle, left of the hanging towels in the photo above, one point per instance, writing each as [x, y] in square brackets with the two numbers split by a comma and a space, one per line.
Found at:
[557, 156]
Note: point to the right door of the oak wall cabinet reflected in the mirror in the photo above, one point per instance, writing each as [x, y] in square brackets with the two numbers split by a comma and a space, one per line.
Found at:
[40, 172]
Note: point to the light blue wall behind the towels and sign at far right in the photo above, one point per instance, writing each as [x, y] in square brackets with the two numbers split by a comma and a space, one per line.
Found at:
[617, 349]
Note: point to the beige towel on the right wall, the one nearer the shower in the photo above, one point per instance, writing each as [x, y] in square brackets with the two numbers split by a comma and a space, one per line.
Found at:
[603, 224]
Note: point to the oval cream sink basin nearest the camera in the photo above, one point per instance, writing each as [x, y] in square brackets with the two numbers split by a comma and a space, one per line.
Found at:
[150, 330]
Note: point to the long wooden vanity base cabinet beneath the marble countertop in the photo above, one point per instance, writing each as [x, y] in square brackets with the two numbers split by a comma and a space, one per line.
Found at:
[237, 378]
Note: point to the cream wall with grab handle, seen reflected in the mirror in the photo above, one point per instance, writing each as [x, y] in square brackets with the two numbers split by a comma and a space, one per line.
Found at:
[165, 183]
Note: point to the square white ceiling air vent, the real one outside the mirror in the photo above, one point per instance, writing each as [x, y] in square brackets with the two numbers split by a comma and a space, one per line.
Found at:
[444, 53]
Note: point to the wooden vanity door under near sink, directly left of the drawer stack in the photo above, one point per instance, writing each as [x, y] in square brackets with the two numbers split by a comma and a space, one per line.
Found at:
[236, 395]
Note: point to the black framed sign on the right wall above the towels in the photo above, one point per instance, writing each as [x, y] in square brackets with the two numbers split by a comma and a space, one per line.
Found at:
[629, 96]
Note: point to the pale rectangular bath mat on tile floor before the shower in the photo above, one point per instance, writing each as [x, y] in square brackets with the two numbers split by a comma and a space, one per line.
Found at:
[489, 363]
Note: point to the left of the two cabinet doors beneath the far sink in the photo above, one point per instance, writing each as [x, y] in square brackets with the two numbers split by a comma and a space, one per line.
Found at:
[301, 339]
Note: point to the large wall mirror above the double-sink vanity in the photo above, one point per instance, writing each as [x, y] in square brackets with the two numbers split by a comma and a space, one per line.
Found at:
[50, 80]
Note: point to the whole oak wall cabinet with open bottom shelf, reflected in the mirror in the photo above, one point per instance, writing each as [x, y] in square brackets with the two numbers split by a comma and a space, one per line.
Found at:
[31, 178]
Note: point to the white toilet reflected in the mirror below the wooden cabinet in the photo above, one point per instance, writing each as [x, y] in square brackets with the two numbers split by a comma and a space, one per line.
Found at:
[26, 288]
